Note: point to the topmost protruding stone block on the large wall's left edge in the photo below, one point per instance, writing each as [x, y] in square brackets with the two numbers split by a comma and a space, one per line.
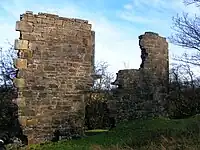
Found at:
[24, 26]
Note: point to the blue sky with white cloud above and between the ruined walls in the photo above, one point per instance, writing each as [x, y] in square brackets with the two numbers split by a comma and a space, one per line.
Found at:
[117, 23]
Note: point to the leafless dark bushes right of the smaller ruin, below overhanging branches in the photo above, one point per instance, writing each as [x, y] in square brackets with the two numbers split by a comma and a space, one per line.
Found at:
[183, 92]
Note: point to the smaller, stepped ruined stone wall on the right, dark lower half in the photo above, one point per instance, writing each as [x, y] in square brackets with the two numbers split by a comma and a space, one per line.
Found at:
[141, 93]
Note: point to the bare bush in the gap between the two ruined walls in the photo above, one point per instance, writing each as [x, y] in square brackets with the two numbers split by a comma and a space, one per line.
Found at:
[96, 115]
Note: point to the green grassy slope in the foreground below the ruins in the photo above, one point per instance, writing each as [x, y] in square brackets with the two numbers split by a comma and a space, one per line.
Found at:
[155, 134]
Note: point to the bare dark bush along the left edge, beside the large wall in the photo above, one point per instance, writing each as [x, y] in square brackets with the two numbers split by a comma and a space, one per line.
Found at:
[10, 127]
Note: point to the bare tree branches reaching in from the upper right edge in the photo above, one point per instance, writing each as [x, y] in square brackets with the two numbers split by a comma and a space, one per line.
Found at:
[187, 34]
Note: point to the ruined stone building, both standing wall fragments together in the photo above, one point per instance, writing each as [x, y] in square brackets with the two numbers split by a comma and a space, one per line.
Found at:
[56, 64]
